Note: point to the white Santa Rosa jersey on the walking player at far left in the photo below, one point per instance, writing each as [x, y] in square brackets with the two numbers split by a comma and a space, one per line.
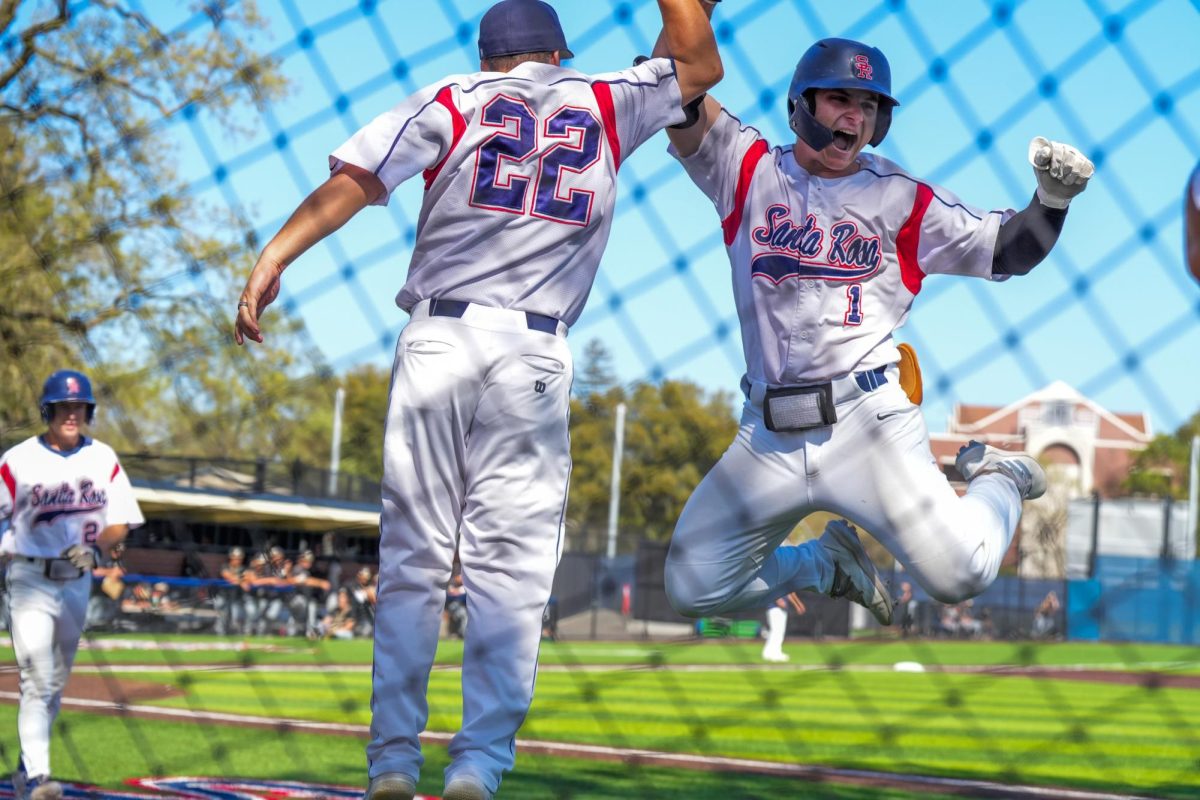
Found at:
[57, 500]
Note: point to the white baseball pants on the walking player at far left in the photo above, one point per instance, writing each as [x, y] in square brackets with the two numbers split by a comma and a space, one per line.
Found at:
[47, 622]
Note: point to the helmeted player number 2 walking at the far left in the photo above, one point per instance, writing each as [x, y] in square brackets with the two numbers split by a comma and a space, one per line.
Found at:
[69, 502]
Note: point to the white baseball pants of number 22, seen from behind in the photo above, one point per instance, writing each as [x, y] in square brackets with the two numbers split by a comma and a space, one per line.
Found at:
[477, 456]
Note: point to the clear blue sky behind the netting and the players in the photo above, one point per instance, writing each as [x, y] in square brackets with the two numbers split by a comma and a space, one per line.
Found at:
[1113, 312]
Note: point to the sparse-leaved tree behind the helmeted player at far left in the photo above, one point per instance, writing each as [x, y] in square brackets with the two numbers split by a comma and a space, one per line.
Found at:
[109, 264]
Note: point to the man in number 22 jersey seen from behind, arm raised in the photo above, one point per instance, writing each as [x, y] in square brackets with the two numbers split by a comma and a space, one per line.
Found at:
[520, 164]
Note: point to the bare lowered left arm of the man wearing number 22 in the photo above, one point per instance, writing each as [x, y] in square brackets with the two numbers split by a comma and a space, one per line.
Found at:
[326, 210]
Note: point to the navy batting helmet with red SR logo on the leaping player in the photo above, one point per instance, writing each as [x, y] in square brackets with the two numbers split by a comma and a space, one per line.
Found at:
[839, 64]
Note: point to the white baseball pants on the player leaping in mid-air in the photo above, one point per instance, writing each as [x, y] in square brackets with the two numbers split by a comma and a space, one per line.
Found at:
[873, 467]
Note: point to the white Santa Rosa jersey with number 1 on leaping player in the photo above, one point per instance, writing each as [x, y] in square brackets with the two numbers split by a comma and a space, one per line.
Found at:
[826, 269]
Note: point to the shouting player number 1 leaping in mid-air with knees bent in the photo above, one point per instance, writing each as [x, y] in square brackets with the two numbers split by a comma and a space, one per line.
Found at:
[830, 246]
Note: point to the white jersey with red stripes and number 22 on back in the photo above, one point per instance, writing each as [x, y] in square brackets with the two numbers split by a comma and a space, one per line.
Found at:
[520, 175]
